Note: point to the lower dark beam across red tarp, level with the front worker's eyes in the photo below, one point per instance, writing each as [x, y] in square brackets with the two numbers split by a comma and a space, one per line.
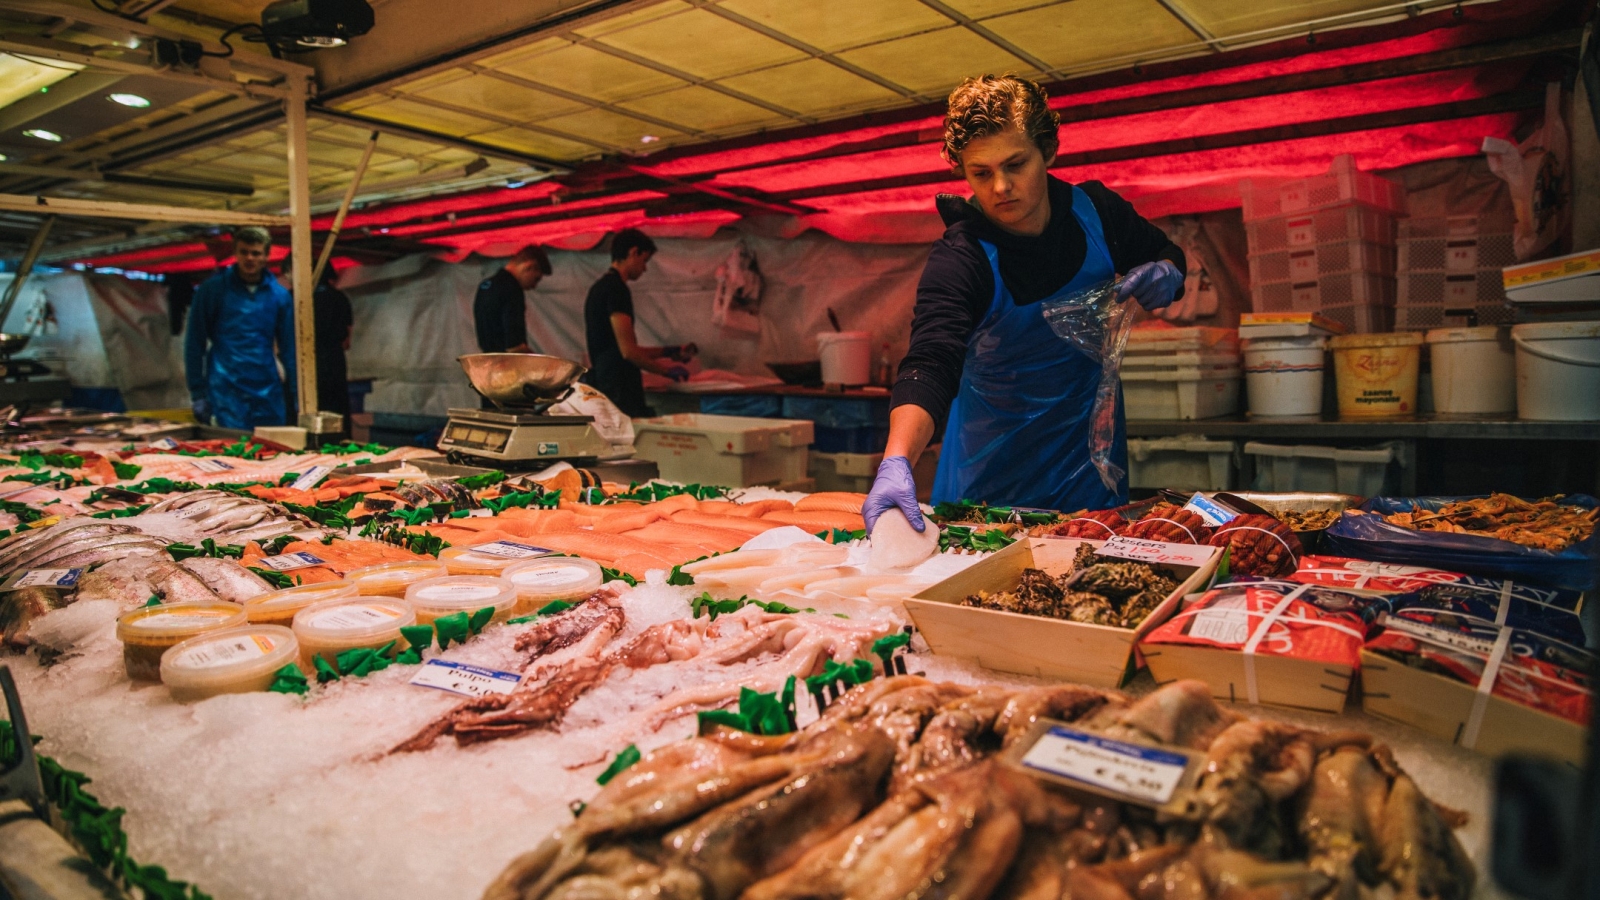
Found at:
[1366, 123]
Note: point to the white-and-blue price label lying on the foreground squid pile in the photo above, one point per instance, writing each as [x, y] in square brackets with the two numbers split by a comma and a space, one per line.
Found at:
[1134, 773]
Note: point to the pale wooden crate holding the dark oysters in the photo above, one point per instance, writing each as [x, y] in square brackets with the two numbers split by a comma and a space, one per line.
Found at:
[1028, 645]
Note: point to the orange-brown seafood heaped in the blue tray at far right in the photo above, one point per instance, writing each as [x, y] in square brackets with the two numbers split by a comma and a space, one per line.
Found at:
[1542, 524]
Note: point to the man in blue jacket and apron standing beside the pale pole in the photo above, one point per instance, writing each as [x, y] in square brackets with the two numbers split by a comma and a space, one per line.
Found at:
[236, 321]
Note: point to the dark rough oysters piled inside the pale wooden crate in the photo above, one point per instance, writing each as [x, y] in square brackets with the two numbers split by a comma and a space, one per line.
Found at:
[1098, 592]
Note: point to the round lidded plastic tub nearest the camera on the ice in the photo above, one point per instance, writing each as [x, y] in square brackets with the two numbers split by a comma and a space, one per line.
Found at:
[234, 661]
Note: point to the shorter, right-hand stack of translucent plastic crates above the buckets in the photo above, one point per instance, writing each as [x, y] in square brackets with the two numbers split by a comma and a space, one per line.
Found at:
[1450, 271]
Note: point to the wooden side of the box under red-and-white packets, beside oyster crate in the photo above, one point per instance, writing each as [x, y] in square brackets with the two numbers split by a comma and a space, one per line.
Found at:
[1281, 681]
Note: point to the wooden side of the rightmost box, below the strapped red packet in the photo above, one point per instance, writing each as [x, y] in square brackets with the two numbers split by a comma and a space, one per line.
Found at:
[1441, 707]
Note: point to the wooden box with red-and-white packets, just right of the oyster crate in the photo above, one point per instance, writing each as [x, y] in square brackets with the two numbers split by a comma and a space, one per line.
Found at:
[1273, 643]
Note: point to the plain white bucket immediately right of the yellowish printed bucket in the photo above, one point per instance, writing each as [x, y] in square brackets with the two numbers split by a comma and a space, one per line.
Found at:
[1474, 372]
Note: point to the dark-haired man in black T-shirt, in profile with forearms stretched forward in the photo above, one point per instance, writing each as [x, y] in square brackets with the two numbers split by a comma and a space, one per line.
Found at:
[615, 355]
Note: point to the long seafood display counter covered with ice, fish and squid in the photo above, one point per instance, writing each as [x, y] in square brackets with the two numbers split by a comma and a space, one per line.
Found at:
[548, 720]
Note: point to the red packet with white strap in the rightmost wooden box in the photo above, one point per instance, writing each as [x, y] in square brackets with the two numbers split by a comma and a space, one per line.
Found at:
[1516, 664]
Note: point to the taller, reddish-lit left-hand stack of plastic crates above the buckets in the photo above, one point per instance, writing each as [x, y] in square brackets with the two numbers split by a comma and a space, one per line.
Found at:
[1326, 244]
